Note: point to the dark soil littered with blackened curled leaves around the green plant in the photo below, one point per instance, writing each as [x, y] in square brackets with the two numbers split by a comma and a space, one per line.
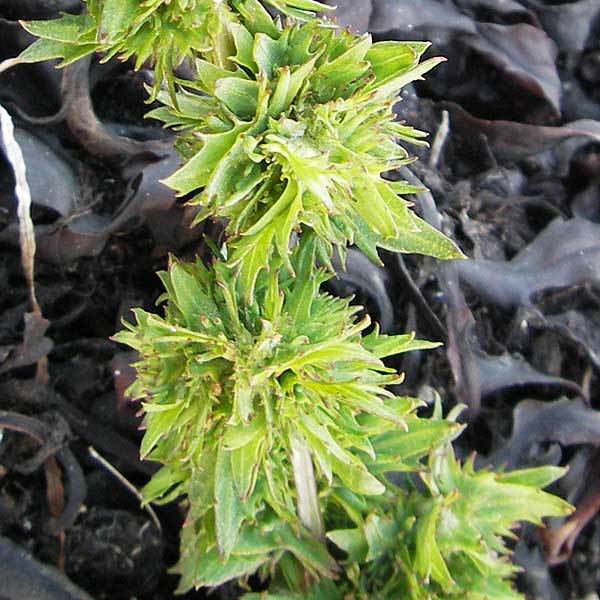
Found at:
[515, 180]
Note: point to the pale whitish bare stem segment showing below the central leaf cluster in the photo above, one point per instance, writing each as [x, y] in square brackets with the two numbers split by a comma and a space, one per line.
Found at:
[306, 488]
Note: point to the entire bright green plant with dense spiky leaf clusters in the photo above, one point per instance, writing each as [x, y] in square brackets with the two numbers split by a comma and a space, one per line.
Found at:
[265, 399]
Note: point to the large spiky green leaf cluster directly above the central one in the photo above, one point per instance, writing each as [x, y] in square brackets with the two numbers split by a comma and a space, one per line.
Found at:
[295, 135]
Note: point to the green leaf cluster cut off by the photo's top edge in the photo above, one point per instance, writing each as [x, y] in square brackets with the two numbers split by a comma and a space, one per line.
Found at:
[163, 32]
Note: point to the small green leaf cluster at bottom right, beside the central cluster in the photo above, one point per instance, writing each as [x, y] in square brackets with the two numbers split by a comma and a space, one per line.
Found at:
[446, 541]
